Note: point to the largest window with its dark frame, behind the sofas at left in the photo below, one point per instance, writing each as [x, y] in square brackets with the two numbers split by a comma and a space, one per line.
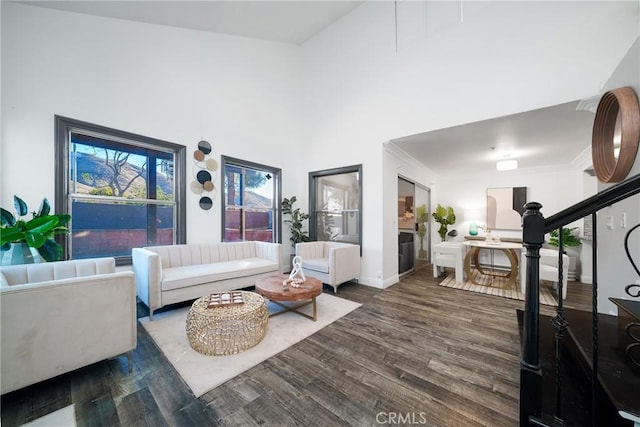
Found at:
[122, 190]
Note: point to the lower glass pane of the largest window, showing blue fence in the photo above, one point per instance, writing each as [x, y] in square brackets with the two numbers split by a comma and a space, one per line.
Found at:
[113, 229]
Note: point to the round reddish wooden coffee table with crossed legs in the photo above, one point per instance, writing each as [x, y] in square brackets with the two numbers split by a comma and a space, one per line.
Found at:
[271, 288]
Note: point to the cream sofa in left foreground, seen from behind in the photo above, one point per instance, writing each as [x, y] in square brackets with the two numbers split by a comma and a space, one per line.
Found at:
[61, 316]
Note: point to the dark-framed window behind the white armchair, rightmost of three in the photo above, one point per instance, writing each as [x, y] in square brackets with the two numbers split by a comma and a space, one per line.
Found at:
[335, 198]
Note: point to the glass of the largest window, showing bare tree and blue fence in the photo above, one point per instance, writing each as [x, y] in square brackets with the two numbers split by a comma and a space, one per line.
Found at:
[122, 197]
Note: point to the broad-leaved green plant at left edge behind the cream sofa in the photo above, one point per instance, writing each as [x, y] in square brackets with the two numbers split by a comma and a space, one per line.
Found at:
[38, 232]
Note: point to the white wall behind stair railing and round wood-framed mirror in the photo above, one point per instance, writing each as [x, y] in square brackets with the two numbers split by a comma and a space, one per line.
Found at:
[614, 270]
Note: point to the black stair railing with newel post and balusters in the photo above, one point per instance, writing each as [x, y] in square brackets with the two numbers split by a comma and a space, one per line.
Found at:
[535, 226]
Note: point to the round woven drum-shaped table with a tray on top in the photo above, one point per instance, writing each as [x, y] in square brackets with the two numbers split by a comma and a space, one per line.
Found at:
[220, 331]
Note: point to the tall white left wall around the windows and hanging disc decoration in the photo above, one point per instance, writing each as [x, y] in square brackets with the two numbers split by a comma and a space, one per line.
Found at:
[177, 85]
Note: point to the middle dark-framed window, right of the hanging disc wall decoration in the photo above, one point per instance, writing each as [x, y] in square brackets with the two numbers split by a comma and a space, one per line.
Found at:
[251, 202]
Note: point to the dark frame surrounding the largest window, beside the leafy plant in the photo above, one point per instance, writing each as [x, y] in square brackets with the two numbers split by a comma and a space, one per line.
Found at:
[64, 126]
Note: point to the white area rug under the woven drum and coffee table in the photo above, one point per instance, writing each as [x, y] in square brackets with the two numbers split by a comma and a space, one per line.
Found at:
[203, 373]
